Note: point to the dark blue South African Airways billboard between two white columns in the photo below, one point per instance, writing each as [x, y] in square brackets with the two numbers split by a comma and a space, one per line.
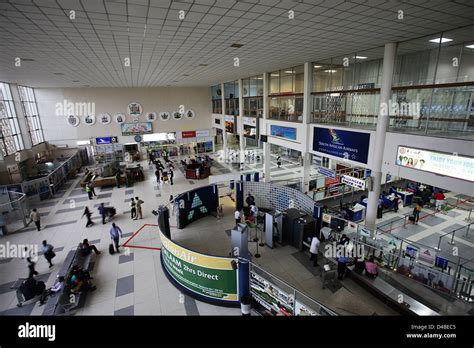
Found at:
[349, 145]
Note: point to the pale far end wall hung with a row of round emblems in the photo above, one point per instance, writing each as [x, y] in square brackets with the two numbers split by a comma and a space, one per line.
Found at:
[114, 100]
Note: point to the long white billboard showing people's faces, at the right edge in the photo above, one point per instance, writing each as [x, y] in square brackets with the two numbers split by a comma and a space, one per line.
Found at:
[460, 167]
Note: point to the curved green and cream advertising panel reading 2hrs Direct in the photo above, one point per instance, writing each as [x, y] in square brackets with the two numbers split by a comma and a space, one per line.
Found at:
[205, 275]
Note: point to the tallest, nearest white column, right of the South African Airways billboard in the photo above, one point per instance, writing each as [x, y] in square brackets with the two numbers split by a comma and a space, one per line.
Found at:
[389, 56]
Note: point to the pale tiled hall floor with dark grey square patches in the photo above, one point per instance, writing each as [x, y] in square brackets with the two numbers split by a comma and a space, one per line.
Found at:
[133, 281]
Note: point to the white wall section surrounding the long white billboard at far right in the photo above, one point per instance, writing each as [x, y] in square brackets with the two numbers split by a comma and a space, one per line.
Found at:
[462, 147]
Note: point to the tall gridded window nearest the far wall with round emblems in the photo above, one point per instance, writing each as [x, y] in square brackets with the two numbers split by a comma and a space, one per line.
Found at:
[30, 110]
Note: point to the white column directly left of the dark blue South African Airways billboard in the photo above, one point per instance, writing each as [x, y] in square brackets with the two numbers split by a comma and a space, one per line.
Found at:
[307, 108]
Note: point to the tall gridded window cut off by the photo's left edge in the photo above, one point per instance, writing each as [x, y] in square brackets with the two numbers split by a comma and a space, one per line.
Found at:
[10, 129]
